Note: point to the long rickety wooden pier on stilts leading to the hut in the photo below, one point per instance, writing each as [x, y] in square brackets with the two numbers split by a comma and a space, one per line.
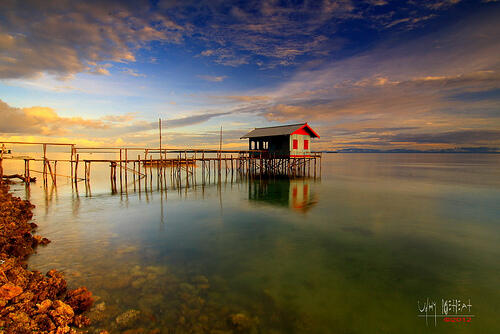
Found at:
[141, 164]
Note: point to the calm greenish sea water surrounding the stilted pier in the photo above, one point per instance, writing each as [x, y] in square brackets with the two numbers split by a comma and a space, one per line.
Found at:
[358, 251]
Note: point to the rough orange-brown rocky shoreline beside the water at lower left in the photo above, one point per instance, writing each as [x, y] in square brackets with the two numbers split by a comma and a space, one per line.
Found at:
[29, 300]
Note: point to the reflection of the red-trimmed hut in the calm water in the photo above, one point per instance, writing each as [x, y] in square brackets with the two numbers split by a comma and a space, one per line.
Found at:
[292, 193]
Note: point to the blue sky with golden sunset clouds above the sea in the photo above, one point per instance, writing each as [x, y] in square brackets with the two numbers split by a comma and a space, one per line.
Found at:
[375, 74]
